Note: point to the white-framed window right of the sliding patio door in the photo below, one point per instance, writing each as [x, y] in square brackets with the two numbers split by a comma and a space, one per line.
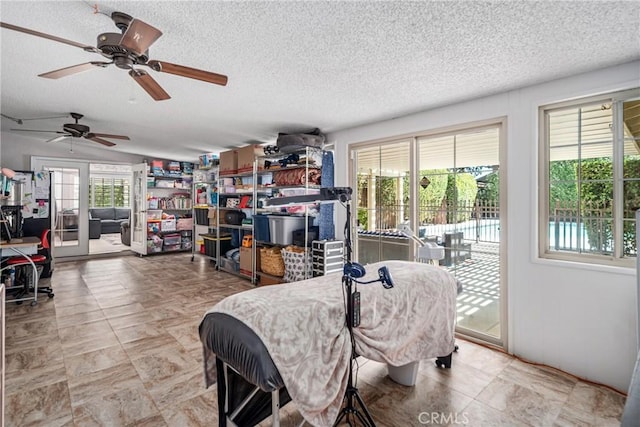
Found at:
[590, 179]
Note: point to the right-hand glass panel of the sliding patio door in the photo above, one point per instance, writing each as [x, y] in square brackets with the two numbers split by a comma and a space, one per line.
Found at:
[460, 208]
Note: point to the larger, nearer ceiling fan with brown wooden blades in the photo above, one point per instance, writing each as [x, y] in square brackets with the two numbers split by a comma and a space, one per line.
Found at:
[126, 50]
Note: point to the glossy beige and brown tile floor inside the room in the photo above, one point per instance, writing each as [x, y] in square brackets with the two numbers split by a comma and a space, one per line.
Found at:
[118, 346]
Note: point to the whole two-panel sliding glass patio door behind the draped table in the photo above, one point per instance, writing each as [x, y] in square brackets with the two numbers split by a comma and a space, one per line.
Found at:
[446, 188]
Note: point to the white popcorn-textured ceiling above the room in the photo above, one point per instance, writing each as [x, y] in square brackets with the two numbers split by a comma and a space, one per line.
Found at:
[297, 65]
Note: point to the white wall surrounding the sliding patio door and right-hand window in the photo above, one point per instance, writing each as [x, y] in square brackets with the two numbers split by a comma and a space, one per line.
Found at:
[577, 318]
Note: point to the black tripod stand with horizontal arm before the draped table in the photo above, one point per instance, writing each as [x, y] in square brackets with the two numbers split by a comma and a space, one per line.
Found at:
[352, 405]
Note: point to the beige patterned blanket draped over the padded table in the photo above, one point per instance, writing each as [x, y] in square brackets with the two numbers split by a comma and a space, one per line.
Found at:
[302, 324]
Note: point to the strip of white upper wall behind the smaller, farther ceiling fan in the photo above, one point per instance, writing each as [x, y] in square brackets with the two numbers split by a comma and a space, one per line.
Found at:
[16, 151]
